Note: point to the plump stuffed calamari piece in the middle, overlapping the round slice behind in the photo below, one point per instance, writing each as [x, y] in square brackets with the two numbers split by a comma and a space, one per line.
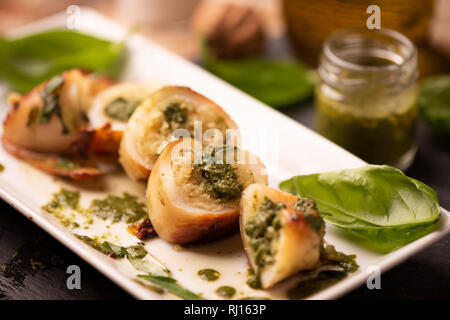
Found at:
[191, 201]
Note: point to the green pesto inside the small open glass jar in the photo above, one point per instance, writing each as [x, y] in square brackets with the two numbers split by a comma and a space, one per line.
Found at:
[378, 138]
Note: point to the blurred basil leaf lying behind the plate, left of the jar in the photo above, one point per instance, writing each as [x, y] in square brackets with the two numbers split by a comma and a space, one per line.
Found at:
[277, 83]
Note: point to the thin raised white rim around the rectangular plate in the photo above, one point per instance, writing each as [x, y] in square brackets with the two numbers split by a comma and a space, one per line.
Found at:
[97, 260]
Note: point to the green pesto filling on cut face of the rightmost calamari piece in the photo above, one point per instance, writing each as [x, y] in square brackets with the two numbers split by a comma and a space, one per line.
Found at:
[262, 228]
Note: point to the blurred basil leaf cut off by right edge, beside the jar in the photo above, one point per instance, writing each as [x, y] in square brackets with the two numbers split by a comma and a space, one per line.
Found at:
[434, 102]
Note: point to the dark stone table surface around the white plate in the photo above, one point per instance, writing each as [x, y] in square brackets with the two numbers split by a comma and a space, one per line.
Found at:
[33, 264]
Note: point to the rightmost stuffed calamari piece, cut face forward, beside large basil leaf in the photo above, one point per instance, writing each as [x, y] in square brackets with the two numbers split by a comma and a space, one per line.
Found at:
[282, 233]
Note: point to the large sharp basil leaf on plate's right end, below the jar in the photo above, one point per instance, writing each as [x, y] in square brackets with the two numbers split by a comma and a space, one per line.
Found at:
[378, 203]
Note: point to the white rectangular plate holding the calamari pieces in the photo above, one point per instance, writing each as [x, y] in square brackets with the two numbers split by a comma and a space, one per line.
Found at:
[285, 146]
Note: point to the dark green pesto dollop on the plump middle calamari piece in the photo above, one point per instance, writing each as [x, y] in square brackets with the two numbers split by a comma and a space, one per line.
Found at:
[221, 178]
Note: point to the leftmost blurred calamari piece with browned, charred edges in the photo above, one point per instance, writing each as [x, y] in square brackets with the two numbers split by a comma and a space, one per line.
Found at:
[48, 126]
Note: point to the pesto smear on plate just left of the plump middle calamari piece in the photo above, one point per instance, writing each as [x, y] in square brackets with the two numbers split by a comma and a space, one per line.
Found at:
[126, 208]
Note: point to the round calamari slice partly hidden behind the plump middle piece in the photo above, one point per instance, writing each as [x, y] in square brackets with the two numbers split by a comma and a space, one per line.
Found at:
[167, 114]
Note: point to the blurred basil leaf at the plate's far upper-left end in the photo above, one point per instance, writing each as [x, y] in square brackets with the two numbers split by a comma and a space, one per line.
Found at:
[30, 60]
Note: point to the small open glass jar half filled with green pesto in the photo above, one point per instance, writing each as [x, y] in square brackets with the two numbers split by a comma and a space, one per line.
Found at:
[366, 98]
